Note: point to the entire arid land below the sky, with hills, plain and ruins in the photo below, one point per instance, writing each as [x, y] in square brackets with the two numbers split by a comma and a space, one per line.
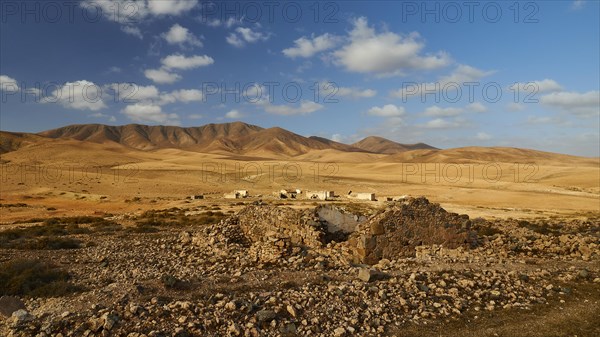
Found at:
[139, 231]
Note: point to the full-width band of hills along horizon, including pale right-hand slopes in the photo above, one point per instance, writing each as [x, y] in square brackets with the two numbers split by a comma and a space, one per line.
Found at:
[246, 141]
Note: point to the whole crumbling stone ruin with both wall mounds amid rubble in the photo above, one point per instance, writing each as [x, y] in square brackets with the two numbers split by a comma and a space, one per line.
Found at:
[271, 233]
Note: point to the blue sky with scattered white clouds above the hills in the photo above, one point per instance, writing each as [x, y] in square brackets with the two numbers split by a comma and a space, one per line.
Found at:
[444, 73]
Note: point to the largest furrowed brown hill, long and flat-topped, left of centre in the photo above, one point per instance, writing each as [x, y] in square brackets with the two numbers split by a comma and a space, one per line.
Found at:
[235, 138]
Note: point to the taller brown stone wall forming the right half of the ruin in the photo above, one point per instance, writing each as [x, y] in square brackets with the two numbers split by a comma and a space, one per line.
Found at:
[395, 232]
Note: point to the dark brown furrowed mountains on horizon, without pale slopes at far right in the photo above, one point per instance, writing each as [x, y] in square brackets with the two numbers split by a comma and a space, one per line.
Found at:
[237, 138]
